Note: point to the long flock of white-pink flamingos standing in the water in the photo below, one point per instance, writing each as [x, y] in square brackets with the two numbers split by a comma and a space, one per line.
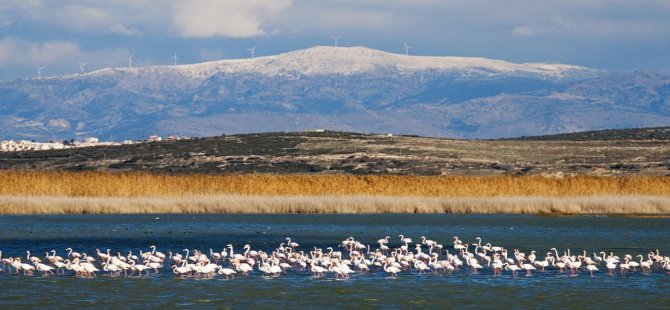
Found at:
[351, 257]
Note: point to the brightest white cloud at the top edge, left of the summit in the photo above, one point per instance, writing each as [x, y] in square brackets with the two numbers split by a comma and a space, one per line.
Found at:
[232, 18]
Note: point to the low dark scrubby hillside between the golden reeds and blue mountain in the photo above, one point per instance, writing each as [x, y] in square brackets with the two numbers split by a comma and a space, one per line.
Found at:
[622, 152]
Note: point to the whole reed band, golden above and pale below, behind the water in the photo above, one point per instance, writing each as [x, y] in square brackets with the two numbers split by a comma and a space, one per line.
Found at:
[100, 192]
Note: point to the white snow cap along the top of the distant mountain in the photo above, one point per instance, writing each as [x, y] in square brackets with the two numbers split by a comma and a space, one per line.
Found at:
[324, 60]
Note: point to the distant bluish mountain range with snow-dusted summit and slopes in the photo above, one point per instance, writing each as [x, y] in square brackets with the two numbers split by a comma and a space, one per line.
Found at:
[338, 88]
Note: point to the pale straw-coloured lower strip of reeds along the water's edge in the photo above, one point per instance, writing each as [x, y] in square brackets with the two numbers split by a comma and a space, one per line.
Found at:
[234, 204]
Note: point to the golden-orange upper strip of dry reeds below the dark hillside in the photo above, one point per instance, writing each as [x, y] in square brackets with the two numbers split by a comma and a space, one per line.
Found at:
[105, 184]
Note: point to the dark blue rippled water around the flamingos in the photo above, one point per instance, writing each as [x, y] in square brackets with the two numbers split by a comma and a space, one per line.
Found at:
[121, 233]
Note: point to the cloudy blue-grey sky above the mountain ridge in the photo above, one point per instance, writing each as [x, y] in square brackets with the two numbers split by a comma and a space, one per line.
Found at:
[615, 35]
